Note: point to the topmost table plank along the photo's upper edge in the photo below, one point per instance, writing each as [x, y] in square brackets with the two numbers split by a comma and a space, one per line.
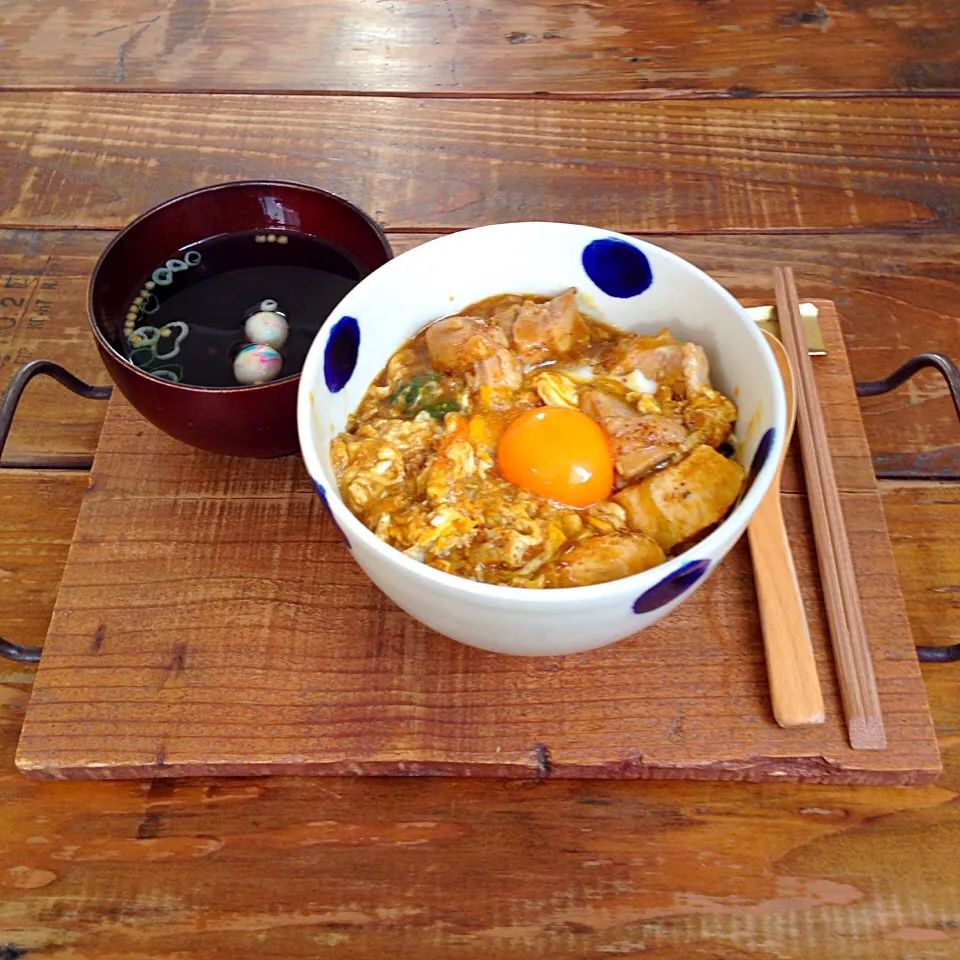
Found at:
[646, 48]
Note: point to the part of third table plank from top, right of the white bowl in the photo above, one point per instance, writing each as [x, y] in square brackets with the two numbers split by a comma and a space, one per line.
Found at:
[897, 297]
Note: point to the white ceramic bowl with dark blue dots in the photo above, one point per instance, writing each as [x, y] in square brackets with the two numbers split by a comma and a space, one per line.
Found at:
[627, 282]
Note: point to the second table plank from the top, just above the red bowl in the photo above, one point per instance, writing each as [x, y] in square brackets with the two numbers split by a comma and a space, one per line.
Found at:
[96, 160]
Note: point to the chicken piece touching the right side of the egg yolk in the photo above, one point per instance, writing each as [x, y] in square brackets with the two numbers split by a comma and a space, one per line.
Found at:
[638, 442]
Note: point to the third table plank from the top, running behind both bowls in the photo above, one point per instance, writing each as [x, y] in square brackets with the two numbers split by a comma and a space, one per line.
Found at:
[898, 295]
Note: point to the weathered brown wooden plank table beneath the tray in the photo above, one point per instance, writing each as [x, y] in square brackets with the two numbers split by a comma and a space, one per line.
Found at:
[740, 135]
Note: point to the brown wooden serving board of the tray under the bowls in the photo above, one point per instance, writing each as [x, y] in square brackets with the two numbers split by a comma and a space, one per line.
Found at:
[210, 621]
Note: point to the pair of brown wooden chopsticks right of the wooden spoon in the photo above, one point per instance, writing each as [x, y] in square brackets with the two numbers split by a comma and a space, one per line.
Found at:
[851, 646]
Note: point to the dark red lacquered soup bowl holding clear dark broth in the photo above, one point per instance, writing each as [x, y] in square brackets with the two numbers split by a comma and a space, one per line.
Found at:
[247, 421]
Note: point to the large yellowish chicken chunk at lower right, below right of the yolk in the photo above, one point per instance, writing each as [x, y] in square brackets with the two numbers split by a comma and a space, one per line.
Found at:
[682, 500]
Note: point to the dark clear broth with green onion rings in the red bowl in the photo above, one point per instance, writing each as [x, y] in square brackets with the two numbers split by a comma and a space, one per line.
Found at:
[216, 284]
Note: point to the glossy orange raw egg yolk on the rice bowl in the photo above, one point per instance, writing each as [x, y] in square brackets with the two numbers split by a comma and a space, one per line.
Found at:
[558, 453]
